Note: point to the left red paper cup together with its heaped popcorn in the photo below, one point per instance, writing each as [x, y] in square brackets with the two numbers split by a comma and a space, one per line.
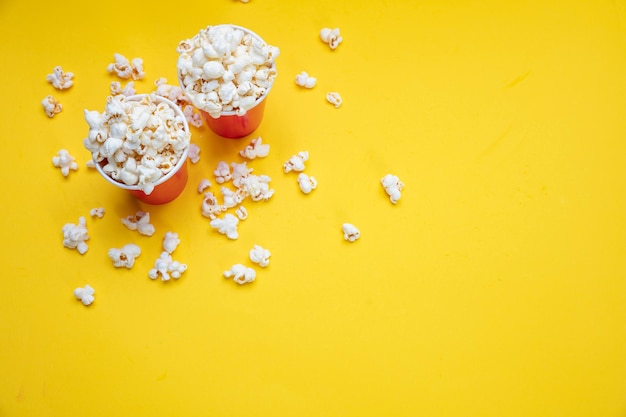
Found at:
[140, 144]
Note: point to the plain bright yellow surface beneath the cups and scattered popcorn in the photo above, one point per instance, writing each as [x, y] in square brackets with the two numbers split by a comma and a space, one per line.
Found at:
[495, 287]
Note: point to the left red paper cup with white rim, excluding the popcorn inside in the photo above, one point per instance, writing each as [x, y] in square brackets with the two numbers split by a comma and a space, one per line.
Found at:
[168, 187]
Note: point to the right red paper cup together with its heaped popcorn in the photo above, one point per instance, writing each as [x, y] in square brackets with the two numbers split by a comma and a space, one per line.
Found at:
[227, 72]
